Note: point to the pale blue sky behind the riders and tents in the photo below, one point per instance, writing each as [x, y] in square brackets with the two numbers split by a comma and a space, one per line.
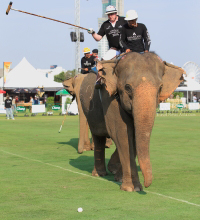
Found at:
[174, 27]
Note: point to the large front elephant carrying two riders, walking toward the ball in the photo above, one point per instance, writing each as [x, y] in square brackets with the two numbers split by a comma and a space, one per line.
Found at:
[142, 81]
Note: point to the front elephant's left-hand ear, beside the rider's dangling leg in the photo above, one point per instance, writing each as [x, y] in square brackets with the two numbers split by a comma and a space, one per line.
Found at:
[106, 71]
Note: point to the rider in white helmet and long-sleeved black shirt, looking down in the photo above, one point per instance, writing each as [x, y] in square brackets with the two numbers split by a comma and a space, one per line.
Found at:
[134, 36]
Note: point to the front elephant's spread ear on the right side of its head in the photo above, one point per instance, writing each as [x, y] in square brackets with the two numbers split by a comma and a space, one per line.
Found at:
[171, 79]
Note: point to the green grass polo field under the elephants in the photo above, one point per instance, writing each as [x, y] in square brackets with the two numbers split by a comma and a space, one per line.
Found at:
[42, 177]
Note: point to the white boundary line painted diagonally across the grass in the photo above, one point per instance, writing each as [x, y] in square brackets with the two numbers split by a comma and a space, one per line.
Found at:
[169, 197]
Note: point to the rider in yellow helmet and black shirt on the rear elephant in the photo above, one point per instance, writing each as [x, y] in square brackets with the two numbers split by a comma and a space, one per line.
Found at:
[87, 62]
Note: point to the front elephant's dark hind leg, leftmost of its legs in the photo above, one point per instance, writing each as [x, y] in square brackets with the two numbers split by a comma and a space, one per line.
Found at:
[99, 156]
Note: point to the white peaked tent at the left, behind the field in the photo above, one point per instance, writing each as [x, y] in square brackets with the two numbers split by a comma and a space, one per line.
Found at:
[24, 75]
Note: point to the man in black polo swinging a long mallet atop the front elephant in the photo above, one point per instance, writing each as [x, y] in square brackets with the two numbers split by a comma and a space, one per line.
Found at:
[111, 28]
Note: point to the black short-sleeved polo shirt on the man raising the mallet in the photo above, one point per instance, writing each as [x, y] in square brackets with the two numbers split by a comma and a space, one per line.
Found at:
[112, 33]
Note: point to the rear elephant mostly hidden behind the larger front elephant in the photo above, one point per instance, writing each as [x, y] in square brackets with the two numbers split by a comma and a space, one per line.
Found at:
[72, 85]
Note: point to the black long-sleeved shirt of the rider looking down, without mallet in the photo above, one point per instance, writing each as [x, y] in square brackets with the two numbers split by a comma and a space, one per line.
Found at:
[136, 39]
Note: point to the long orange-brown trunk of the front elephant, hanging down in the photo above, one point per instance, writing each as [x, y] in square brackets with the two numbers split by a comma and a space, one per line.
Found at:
[144, 111]
